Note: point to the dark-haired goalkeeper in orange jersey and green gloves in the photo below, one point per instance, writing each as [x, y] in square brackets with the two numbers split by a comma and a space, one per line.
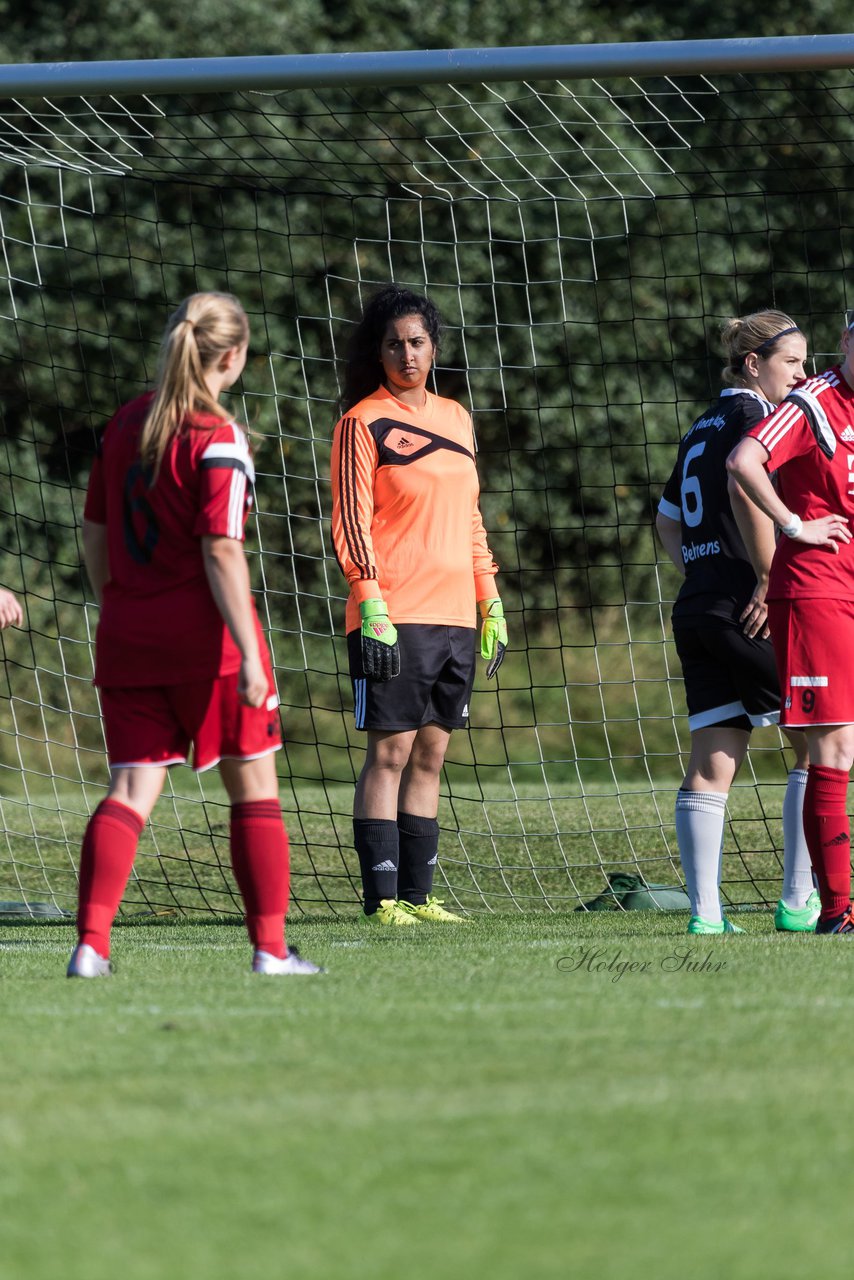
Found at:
[412, 543]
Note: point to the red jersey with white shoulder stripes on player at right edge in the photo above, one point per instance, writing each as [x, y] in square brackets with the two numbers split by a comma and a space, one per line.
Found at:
[810, 440]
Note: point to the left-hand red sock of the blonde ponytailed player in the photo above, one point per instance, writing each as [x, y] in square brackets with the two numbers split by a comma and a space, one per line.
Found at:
[107, 858]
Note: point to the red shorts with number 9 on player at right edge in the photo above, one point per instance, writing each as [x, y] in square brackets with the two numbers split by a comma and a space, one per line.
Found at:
[814, 642]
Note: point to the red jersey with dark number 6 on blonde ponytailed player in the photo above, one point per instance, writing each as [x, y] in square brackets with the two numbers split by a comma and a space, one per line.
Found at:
[159, 621]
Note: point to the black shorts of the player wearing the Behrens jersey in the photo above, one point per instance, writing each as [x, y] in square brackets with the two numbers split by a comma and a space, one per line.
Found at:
[730, 679]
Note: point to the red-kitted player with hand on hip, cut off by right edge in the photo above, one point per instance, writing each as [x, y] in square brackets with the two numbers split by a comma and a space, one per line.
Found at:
[810, 444]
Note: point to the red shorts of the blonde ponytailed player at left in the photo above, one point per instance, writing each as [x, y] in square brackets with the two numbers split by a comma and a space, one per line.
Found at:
[159, 725]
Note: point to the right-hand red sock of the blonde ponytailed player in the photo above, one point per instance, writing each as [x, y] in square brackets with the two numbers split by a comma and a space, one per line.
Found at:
[262, 871]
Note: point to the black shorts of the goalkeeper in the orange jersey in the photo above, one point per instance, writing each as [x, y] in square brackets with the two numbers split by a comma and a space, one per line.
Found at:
[433, 688]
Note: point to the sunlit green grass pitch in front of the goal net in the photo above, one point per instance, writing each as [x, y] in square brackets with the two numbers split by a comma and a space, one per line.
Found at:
[446, 1104]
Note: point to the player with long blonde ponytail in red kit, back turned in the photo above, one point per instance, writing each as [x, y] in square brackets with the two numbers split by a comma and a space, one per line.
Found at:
[181, 660]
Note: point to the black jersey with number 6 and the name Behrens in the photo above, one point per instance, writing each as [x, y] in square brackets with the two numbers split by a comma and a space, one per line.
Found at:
[719, 577]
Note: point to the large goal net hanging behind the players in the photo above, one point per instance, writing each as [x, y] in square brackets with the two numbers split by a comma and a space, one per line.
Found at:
[584, 240]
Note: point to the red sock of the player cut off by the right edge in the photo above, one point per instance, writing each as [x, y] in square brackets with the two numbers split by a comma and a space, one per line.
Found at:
[829, 836]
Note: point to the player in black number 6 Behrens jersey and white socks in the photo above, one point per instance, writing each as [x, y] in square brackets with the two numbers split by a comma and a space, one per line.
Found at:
[724, 547]
